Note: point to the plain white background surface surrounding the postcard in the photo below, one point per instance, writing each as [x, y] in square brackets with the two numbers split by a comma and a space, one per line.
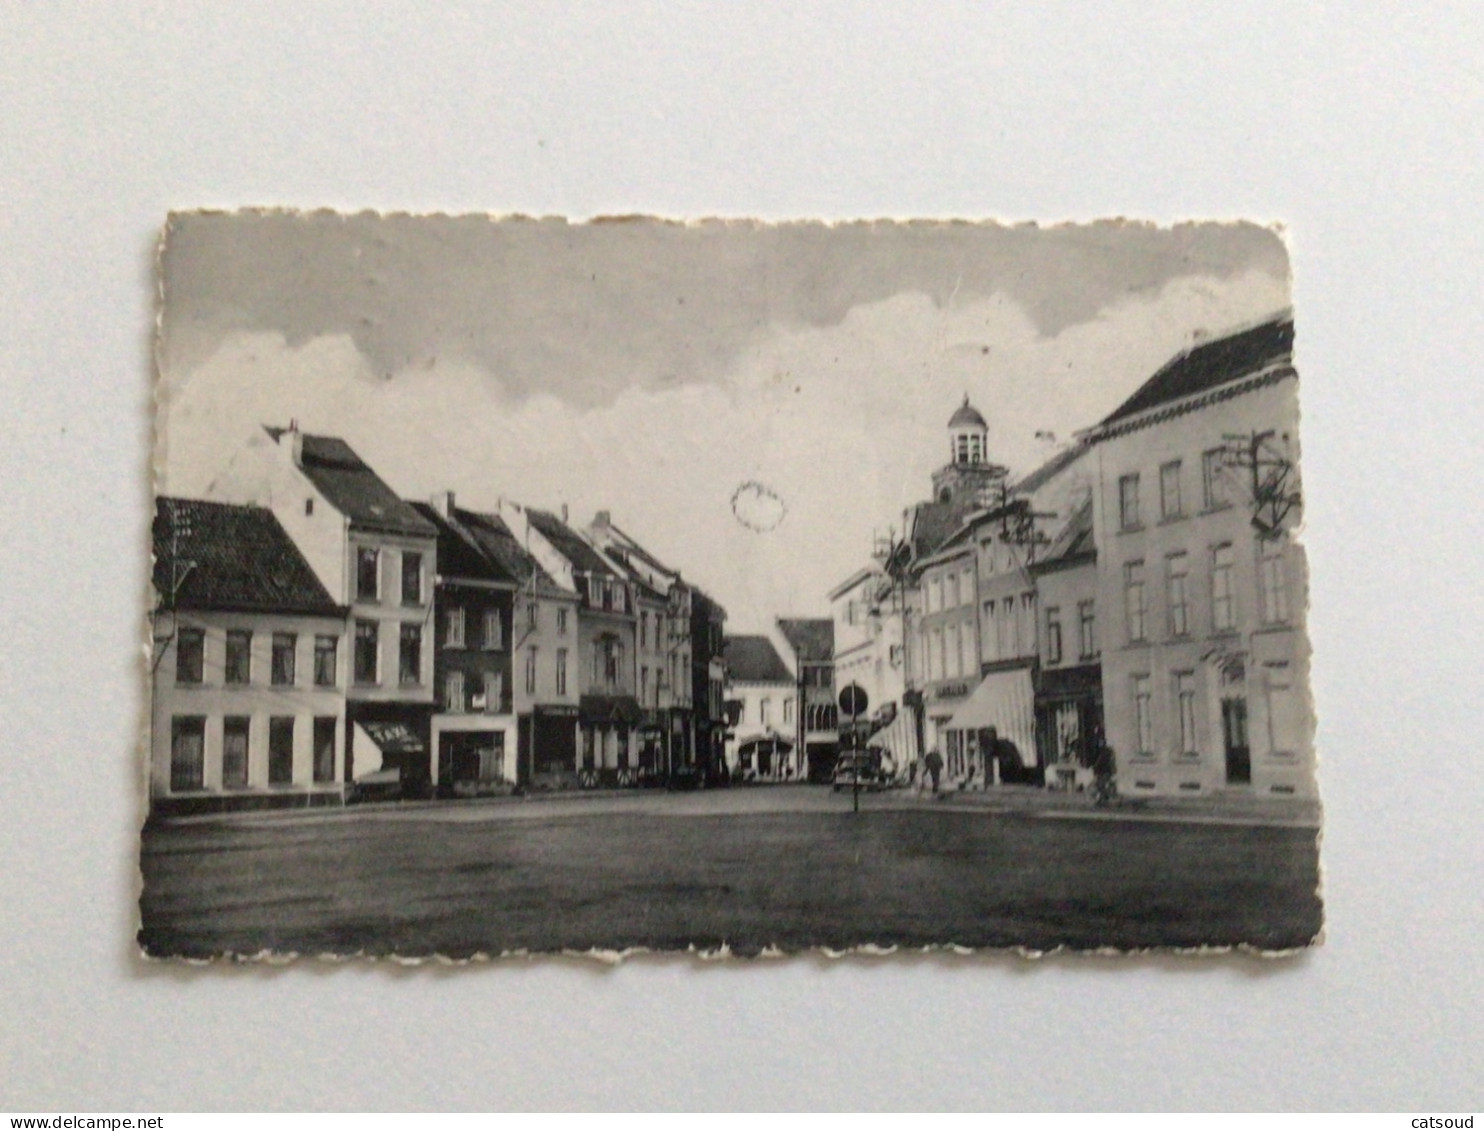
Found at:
[1362, 127]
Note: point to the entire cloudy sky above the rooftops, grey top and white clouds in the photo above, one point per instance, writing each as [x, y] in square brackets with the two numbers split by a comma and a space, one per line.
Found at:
[652, 369]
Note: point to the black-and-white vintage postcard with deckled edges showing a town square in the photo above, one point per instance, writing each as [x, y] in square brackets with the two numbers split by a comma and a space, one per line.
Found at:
[541, 587]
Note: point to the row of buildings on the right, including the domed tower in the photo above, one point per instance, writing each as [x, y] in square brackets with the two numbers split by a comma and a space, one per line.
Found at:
[1139, 594]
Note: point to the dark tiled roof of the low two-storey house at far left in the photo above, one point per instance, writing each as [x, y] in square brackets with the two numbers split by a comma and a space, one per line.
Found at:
[220, 556]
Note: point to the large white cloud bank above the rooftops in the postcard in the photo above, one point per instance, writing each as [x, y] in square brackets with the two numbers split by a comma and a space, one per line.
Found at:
[844, 424]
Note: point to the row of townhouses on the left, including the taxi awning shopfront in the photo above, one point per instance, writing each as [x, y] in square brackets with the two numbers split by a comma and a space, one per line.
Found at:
[320, 639]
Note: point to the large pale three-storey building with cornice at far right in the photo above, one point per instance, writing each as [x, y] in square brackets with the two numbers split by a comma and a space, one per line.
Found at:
[1201, 586]
